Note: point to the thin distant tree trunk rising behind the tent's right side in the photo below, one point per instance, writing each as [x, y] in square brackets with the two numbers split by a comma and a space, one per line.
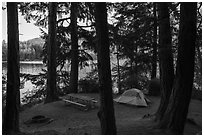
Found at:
[154, 57]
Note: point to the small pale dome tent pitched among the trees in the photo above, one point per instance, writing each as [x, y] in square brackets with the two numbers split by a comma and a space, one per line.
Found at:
[133, 97]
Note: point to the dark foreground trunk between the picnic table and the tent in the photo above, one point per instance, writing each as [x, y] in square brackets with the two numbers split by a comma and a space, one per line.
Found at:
[106, 112]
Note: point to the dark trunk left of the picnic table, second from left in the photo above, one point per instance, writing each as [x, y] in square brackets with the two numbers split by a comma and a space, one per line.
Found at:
[51, 67]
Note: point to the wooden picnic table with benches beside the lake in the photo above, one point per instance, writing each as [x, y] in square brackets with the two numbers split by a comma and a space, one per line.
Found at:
[82, 102]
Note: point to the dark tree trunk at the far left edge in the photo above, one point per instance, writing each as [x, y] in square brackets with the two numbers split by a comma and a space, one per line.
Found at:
[11, 116]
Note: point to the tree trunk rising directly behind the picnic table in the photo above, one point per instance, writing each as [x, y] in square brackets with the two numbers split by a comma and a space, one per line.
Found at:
[74, 49]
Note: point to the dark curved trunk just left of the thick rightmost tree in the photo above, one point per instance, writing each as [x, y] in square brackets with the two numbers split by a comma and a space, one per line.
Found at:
[165, 58]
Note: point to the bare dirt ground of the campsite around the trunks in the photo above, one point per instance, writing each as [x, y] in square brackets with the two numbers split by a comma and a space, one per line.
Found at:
[68, 120]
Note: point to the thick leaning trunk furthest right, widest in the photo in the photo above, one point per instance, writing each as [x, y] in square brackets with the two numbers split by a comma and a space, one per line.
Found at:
[177, 110]
